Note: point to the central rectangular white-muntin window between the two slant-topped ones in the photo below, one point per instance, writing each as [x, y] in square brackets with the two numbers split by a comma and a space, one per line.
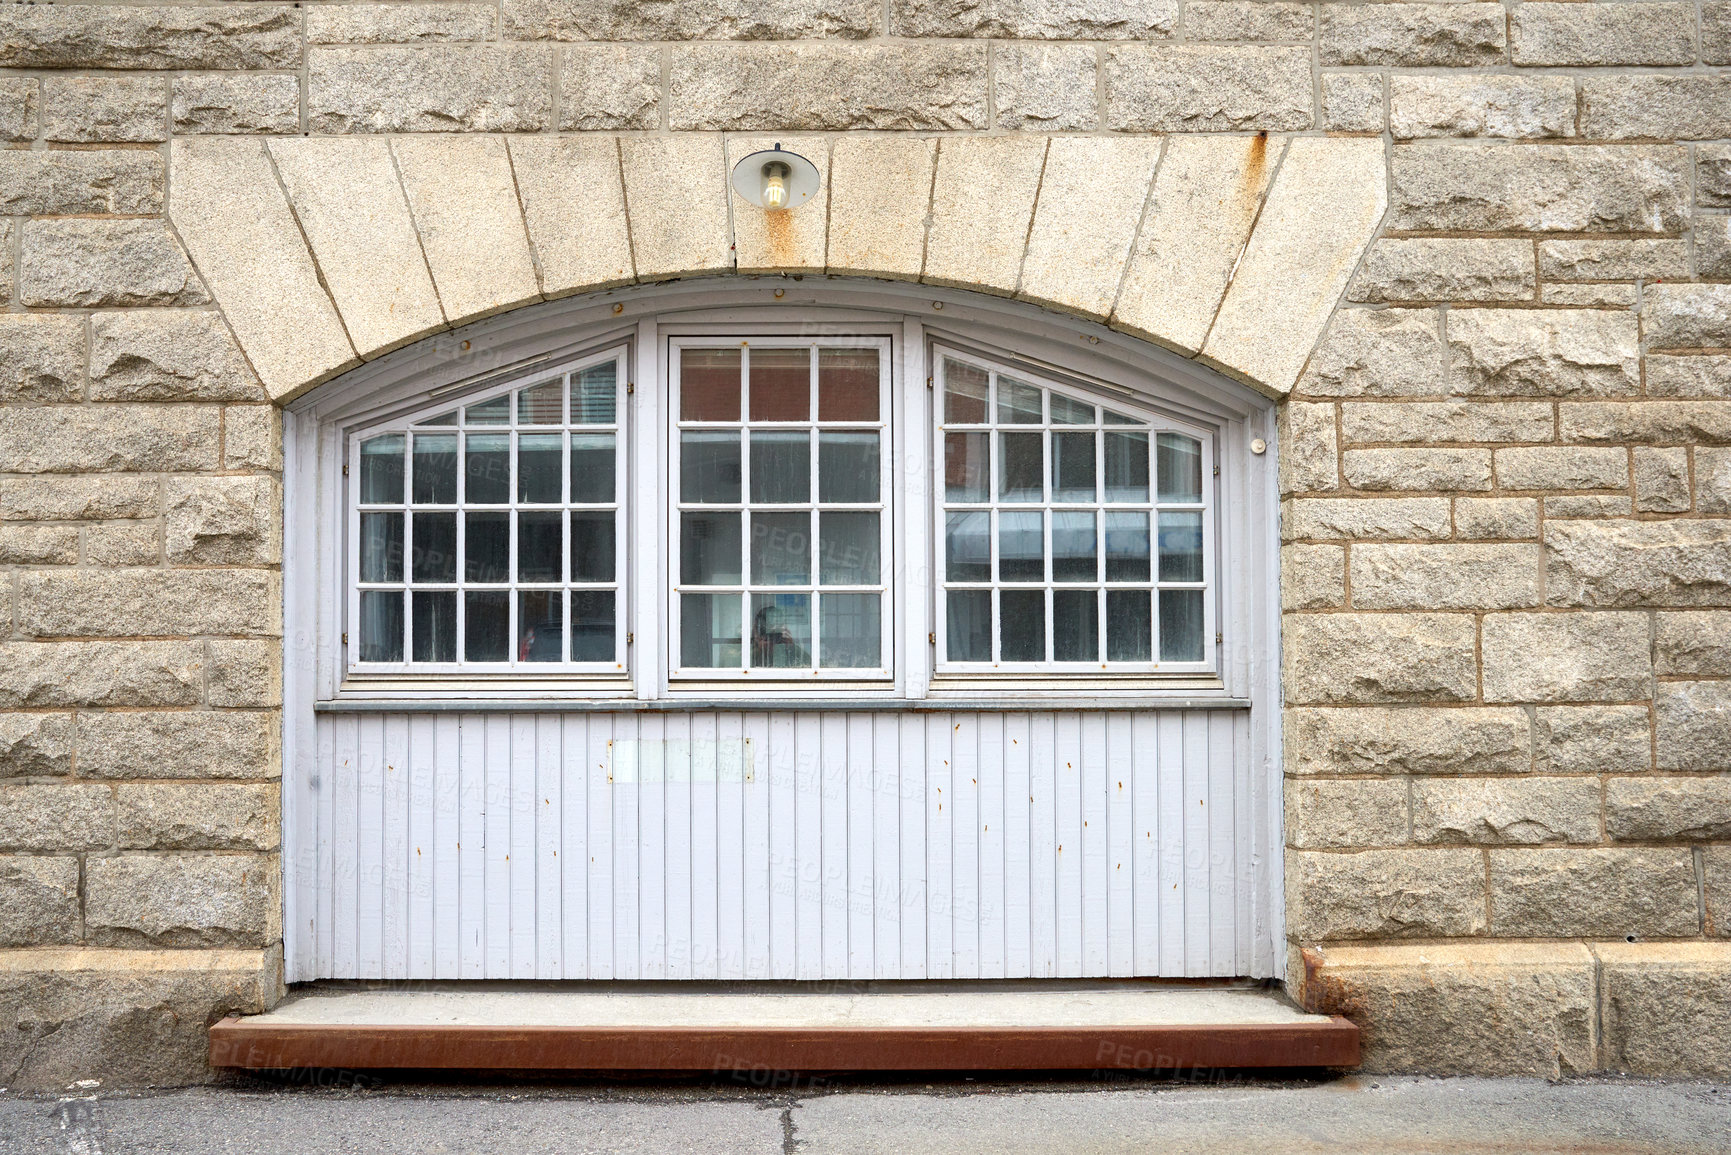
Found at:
[782, 508]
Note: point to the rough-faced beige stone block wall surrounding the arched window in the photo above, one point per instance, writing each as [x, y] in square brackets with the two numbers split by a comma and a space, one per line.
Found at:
[1509, 465]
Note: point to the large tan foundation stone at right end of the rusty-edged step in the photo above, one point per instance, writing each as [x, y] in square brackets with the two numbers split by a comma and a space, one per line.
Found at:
[1462, 1009]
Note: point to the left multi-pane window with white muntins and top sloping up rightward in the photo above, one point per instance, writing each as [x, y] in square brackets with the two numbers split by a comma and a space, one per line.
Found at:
[487, 536]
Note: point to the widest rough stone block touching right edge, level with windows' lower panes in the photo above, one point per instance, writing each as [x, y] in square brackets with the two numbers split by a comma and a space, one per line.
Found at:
[1638, 564]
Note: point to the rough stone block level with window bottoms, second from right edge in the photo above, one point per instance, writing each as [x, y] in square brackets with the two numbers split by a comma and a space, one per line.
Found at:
[1566, 657]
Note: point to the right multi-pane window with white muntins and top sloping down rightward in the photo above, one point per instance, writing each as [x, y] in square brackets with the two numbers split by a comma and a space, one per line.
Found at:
[1074, 534]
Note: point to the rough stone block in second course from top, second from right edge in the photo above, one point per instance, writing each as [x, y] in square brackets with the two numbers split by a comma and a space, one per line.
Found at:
[1481, 106]
